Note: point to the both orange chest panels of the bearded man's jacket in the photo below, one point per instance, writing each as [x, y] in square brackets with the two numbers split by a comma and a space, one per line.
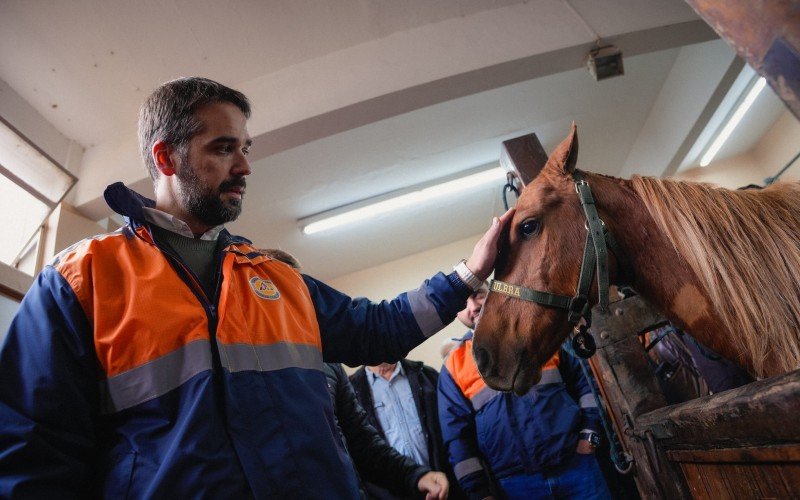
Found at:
[148, 311]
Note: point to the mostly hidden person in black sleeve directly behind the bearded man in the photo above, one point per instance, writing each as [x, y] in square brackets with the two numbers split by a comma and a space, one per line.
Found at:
[374, 460]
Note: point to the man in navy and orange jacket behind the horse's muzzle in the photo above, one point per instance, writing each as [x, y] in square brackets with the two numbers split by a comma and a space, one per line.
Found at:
[540, 445]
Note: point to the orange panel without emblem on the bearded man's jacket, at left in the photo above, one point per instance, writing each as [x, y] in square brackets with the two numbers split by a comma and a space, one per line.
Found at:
[142, 298]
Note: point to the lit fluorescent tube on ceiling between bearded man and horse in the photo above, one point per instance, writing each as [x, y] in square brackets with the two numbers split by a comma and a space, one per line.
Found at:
[396, 200]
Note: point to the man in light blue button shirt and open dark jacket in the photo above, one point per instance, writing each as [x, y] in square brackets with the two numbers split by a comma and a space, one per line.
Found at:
[400, 400]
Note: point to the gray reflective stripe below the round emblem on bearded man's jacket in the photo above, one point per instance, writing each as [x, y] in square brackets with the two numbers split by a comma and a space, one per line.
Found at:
[241, 357]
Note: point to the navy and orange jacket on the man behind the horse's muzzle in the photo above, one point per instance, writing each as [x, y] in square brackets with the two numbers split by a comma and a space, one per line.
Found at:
[491, 435]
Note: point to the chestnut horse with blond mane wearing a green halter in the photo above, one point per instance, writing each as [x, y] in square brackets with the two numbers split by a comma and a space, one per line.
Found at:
[723, 265]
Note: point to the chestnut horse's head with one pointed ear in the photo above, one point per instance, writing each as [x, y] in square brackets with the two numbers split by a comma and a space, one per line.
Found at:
[542, 250]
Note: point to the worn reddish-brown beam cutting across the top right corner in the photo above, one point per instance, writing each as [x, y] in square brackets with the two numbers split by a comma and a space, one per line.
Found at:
[766, 34]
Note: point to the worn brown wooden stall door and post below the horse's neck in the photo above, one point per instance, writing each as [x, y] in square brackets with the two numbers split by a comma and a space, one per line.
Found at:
[741, 443]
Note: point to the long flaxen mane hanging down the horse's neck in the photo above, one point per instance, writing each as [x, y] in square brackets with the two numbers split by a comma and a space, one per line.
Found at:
[744, 246]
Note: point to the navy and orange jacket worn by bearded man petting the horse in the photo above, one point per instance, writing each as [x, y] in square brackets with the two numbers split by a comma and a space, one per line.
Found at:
[120, 378]
